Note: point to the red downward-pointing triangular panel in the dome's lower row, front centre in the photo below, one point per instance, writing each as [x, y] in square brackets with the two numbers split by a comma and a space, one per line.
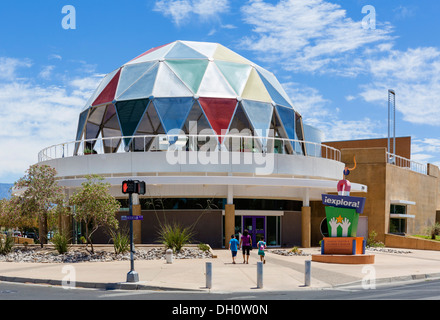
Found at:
[219, 113]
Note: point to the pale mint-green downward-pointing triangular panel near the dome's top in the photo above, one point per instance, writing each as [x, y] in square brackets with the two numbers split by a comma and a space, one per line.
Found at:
[189, 71]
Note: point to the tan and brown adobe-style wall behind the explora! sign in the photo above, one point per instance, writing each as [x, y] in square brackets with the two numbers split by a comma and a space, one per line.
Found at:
[387, 182]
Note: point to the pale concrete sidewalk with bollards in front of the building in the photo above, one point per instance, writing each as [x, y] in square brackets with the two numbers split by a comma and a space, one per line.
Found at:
[280, 273]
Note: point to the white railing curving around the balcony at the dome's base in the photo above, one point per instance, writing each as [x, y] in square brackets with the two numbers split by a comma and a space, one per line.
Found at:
[163, 142]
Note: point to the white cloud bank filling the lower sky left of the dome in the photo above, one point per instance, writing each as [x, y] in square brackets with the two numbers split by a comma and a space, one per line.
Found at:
[33, 117]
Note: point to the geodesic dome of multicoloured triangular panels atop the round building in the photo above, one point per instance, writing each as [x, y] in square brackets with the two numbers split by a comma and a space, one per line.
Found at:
[183, 85]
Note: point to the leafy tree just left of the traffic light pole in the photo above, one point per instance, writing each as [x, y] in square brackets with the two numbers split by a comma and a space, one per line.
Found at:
[95, 206]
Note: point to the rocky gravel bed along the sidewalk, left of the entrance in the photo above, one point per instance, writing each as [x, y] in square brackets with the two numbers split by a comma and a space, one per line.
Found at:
[75, 255]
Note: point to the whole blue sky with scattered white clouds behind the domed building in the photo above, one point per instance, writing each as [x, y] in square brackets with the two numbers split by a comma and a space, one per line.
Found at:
[333, 63]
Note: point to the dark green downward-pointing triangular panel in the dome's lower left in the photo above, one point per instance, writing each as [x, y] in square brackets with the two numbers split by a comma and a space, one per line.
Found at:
[130, 114]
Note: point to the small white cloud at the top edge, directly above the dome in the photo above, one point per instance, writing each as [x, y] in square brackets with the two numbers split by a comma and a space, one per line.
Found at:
[181, 10]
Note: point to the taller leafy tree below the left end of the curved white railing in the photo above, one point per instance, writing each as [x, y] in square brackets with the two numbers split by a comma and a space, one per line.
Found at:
[39, 195]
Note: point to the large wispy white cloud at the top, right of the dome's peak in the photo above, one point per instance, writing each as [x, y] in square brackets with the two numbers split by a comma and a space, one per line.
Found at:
[308, 35]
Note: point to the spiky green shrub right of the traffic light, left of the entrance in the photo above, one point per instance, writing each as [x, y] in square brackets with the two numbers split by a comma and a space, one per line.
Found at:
[175, 236]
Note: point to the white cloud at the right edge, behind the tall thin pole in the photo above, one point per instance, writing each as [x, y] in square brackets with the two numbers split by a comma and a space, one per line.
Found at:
[414, 74]
